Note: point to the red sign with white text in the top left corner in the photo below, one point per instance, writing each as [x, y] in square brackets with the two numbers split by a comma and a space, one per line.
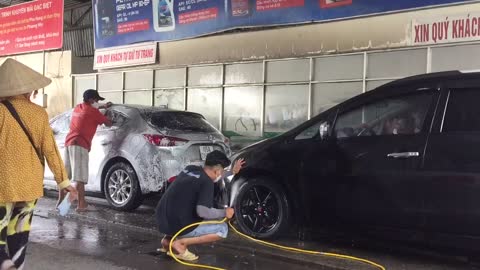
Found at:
[33, 26]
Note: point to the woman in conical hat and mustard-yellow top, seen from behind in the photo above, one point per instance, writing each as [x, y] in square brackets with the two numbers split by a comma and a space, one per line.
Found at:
[22, 158]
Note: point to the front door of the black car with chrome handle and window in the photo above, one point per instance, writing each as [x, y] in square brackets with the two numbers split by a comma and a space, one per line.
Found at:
[382, 141]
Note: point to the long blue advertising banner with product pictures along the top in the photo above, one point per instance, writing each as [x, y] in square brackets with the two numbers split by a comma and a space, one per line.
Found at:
[123, 22]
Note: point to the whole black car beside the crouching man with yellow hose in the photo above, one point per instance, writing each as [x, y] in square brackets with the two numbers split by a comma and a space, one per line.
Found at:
[402, 158]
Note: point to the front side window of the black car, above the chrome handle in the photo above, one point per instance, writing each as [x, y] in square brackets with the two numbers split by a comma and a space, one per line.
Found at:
[401, 115]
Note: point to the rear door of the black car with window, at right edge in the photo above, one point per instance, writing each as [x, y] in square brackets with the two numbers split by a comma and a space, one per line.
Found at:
[452, 165]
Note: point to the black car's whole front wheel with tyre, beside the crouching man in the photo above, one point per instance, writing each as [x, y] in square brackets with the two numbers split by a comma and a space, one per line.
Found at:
[262, 209]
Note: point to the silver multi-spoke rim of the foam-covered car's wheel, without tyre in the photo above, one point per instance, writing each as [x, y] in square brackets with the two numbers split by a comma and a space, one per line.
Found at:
[120, 186]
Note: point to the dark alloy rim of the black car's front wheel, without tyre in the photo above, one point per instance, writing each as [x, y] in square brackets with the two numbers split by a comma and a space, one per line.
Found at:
[260, 209]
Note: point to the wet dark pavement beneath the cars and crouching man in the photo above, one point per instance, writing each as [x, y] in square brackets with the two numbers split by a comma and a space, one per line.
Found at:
[107, 239]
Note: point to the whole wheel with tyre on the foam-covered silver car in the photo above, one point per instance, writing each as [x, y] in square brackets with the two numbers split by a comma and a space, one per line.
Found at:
[121, 187]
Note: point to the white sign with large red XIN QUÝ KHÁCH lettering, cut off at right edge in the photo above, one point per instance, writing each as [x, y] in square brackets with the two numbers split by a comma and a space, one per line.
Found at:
[446, 29]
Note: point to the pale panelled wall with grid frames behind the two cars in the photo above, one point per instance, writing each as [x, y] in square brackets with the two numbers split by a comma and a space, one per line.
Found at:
[252, 100]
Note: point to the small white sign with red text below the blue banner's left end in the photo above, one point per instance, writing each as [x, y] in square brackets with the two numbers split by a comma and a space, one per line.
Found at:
[138, 54]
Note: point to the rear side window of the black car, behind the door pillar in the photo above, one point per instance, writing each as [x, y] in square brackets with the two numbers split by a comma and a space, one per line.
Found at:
[463, 111]
